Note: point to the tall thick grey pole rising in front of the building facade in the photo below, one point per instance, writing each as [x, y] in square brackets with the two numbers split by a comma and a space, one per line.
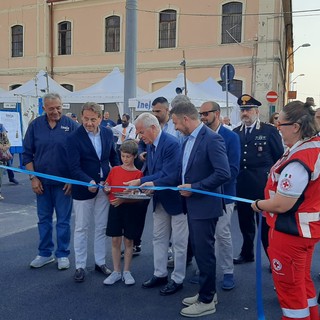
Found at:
[130, 66]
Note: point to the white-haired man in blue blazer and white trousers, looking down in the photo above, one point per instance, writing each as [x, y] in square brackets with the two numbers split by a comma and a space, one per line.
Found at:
[163, 154]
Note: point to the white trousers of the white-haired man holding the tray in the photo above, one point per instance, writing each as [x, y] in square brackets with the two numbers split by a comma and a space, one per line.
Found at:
[164, 226]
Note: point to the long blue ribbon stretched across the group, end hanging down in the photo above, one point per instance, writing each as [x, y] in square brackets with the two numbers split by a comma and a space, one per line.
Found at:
[258, 248]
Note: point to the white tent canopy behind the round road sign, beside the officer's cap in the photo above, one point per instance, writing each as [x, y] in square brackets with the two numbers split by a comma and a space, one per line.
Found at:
[213, 88]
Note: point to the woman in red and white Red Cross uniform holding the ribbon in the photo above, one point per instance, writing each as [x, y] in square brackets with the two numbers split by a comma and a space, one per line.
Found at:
[292, 206]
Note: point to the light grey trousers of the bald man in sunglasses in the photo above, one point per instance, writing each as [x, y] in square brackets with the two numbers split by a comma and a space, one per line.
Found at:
[223, 245]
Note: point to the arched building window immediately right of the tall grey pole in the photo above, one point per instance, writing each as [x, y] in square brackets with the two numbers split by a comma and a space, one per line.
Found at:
[167, 29]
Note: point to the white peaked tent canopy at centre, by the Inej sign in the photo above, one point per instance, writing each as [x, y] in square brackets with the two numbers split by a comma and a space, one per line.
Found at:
[196, 94]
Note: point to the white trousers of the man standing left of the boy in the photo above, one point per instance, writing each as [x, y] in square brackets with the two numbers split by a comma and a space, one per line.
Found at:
[97, 208]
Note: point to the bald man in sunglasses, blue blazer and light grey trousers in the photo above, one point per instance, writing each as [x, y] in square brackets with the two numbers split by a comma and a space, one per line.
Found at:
[210, 116]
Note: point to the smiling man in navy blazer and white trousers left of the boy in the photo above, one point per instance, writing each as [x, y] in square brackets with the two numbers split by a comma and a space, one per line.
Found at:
[90, 152]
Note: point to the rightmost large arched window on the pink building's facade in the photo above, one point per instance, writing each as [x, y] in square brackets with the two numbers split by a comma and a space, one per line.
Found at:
[231, 22]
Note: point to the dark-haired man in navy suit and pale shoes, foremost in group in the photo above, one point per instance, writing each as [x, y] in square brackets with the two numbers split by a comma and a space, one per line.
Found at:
[205, 166]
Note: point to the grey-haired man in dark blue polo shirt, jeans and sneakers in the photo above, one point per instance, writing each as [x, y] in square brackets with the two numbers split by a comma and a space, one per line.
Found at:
[45, 151]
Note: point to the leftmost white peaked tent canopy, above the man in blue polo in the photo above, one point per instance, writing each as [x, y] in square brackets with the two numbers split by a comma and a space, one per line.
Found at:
[35, 88]
